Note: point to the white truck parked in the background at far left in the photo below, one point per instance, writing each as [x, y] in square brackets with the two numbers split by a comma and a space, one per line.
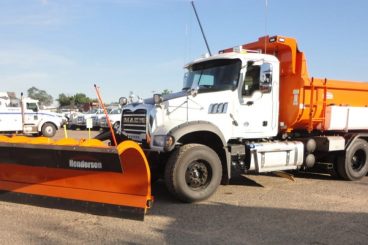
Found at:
[26, 117]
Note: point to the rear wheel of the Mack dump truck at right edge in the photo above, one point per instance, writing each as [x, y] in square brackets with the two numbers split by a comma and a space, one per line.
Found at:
[354, 165]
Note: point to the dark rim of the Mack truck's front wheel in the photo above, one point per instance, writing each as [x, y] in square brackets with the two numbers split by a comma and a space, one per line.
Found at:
[198, 175]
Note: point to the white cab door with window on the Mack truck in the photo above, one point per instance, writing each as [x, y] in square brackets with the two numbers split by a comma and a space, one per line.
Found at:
[258, 107]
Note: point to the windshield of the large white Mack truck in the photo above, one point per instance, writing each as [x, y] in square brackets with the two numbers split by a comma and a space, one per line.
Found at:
[219, 74]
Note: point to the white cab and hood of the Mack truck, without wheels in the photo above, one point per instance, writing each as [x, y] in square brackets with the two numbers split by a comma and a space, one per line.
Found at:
[220, 94]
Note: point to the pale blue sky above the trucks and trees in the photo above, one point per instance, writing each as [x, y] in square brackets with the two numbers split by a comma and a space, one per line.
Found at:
[65, 46]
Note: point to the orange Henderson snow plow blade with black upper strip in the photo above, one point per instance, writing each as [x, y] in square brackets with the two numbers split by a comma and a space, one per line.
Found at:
[69, 174]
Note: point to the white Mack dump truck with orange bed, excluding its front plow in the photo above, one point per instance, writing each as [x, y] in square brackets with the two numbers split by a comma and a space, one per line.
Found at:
[252, 108]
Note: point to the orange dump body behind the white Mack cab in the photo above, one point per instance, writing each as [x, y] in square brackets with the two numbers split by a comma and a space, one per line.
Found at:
[303, 100]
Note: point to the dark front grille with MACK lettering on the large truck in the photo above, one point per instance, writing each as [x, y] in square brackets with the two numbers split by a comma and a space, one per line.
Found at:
[134, 122]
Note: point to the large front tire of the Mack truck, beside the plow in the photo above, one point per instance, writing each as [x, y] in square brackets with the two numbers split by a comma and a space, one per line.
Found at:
[193, 172]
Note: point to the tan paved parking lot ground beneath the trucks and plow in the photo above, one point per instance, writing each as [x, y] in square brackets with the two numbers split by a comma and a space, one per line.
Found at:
[253, 209]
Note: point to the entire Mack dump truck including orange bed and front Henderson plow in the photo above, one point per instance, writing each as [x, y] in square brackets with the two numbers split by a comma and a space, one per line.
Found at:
[251, 108]
